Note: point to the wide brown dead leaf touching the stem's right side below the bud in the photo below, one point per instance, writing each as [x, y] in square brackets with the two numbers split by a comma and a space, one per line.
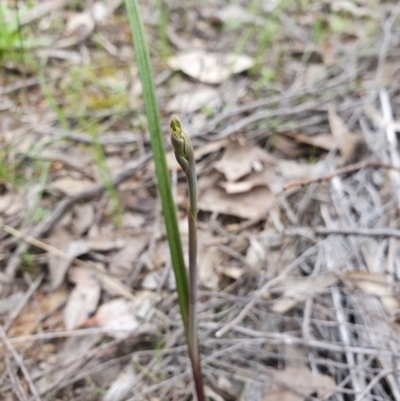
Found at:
[249, 205]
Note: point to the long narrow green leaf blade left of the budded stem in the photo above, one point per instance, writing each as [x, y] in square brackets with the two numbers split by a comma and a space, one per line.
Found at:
[157, 144]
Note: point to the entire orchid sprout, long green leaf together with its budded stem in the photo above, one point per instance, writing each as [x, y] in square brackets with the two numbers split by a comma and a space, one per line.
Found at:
[184, 151]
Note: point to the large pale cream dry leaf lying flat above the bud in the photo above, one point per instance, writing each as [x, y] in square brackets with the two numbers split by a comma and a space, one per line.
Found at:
[210, 68]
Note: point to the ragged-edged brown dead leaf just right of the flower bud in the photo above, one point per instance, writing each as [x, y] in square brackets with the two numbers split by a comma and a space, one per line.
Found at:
[239, 160]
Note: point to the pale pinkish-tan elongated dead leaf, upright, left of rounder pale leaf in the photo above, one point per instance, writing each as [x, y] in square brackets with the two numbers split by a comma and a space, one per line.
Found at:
[83, 299]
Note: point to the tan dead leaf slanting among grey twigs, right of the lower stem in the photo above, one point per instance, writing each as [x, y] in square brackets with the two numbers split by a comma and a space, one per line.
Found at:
[297, 290]
